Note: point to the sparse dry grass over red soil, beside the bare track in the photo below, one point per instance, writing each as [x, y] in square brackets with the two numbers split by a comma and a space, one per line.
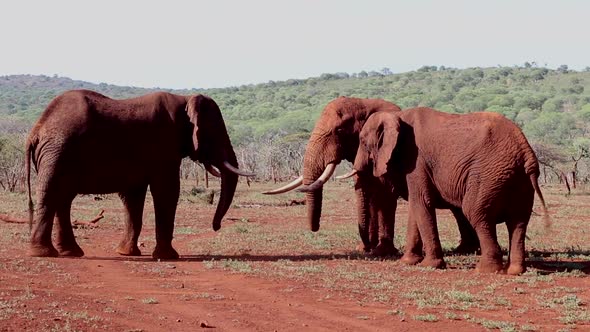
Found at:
[263, 238]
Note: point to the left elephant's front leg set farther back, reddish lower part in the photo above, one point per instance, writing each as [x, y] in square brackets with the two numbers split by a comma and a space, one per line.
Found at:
[134, 201]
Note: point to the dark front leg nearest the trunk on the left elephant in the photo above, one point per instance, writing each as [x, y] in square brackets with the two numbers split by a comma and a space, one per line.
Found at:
[165, 191]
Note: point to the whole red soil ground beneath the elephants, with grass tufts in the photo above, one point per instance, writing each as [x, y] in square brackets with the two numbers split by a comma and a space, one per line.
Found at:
[226, 283]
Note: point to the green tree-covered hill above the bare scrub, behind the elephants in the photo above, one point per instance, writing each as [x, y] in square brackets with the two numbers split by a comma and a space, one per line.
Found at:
[552, 106]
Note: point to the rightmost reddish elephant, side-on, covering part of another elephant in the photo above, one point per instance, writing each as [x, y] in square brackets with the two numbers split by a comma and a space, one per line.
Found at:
[479, 162]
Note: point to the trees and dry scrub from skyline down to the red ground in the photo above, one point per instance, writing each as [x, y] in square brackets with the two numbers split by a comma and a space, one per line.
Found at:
[269, 123]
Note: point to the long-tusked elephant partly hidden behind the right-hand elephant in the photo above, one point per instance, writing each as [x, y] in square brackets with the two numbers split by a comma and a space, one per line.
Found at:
[336, 138]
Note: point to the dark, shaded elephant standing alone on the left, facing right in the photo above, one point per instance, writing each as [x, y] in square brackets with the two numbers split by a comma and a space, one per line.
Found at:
[87, 143]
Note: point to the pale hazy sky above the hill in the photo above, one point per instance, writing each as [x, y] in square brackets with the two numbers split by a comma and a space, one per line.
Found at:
[219, 43]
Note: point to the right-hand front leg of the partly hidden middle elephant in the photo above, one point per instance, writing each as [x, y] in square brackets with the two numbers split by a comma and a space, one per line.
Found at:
[387, 204]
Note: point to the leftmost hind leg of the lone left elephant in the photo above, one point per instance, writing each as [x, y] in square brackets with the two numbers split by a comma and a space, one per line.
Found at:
[40, 243]
